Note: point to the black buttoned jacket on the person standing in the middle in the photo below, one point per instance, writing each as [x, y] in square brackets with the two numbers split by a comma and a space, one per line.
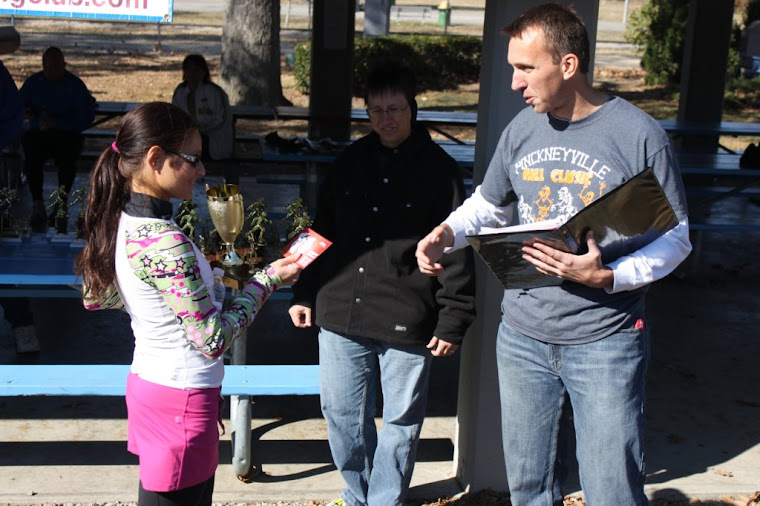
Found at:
[375, 205]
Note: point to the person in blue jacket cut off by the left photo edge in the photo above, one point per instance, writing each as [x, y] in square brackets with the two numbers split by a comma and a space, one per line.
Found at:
[16, 309]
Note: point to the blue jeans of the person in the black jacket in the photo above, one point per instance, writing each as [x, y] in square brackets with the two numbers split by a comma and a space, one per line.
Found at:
[377, 468]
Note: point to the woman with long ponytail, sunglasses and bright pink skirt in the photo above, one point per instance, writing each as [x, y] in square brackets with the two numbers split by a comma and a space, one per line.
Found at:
[136, 257]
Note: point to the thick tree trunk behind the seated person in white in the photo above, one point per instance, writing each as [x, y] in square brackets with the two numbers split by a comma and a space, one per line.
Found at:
[250, 63]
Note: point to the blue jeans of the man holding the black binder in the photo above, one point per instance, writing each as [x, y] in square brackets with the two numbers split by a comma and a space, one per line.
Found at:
[604, 381]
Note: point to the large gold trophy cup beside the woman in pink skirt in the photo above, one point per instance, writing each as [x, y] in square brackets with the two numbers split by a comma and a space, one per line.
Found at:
[225, 205]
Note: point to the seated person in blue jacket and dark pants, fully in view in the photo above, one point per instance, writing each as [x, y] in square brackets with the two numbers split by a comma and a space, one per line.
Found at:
[58, 107]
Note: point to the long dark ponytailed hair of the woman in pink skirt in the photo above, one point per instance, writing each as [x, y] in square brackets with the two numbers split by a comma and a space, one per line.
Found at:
[148, 125]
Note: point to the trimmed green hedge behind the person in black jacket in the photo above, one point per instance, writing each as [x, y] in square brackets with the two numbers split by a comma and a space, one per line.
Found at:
[439, 62]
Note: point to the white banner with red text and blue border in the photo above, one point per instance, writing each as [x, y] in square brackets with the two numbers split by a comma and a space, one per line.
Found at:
[155, 11]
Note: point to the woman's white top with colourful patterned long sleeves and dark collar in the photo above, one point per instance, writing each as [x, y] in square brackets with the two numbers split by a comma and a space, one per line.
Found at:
[166, 286]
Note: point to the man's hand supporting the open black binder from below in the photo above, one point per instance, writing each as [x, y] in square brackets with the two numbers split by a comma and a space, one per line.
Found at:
[586, 269]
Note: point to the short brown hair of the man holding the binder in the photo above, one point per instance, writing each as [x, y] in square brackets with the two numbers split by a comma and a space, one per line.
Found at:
[563, 28]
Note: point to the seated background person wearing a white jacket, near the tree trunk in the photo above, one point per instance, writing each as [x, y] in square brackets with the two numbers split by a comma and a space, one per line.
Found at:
[208, 104]
